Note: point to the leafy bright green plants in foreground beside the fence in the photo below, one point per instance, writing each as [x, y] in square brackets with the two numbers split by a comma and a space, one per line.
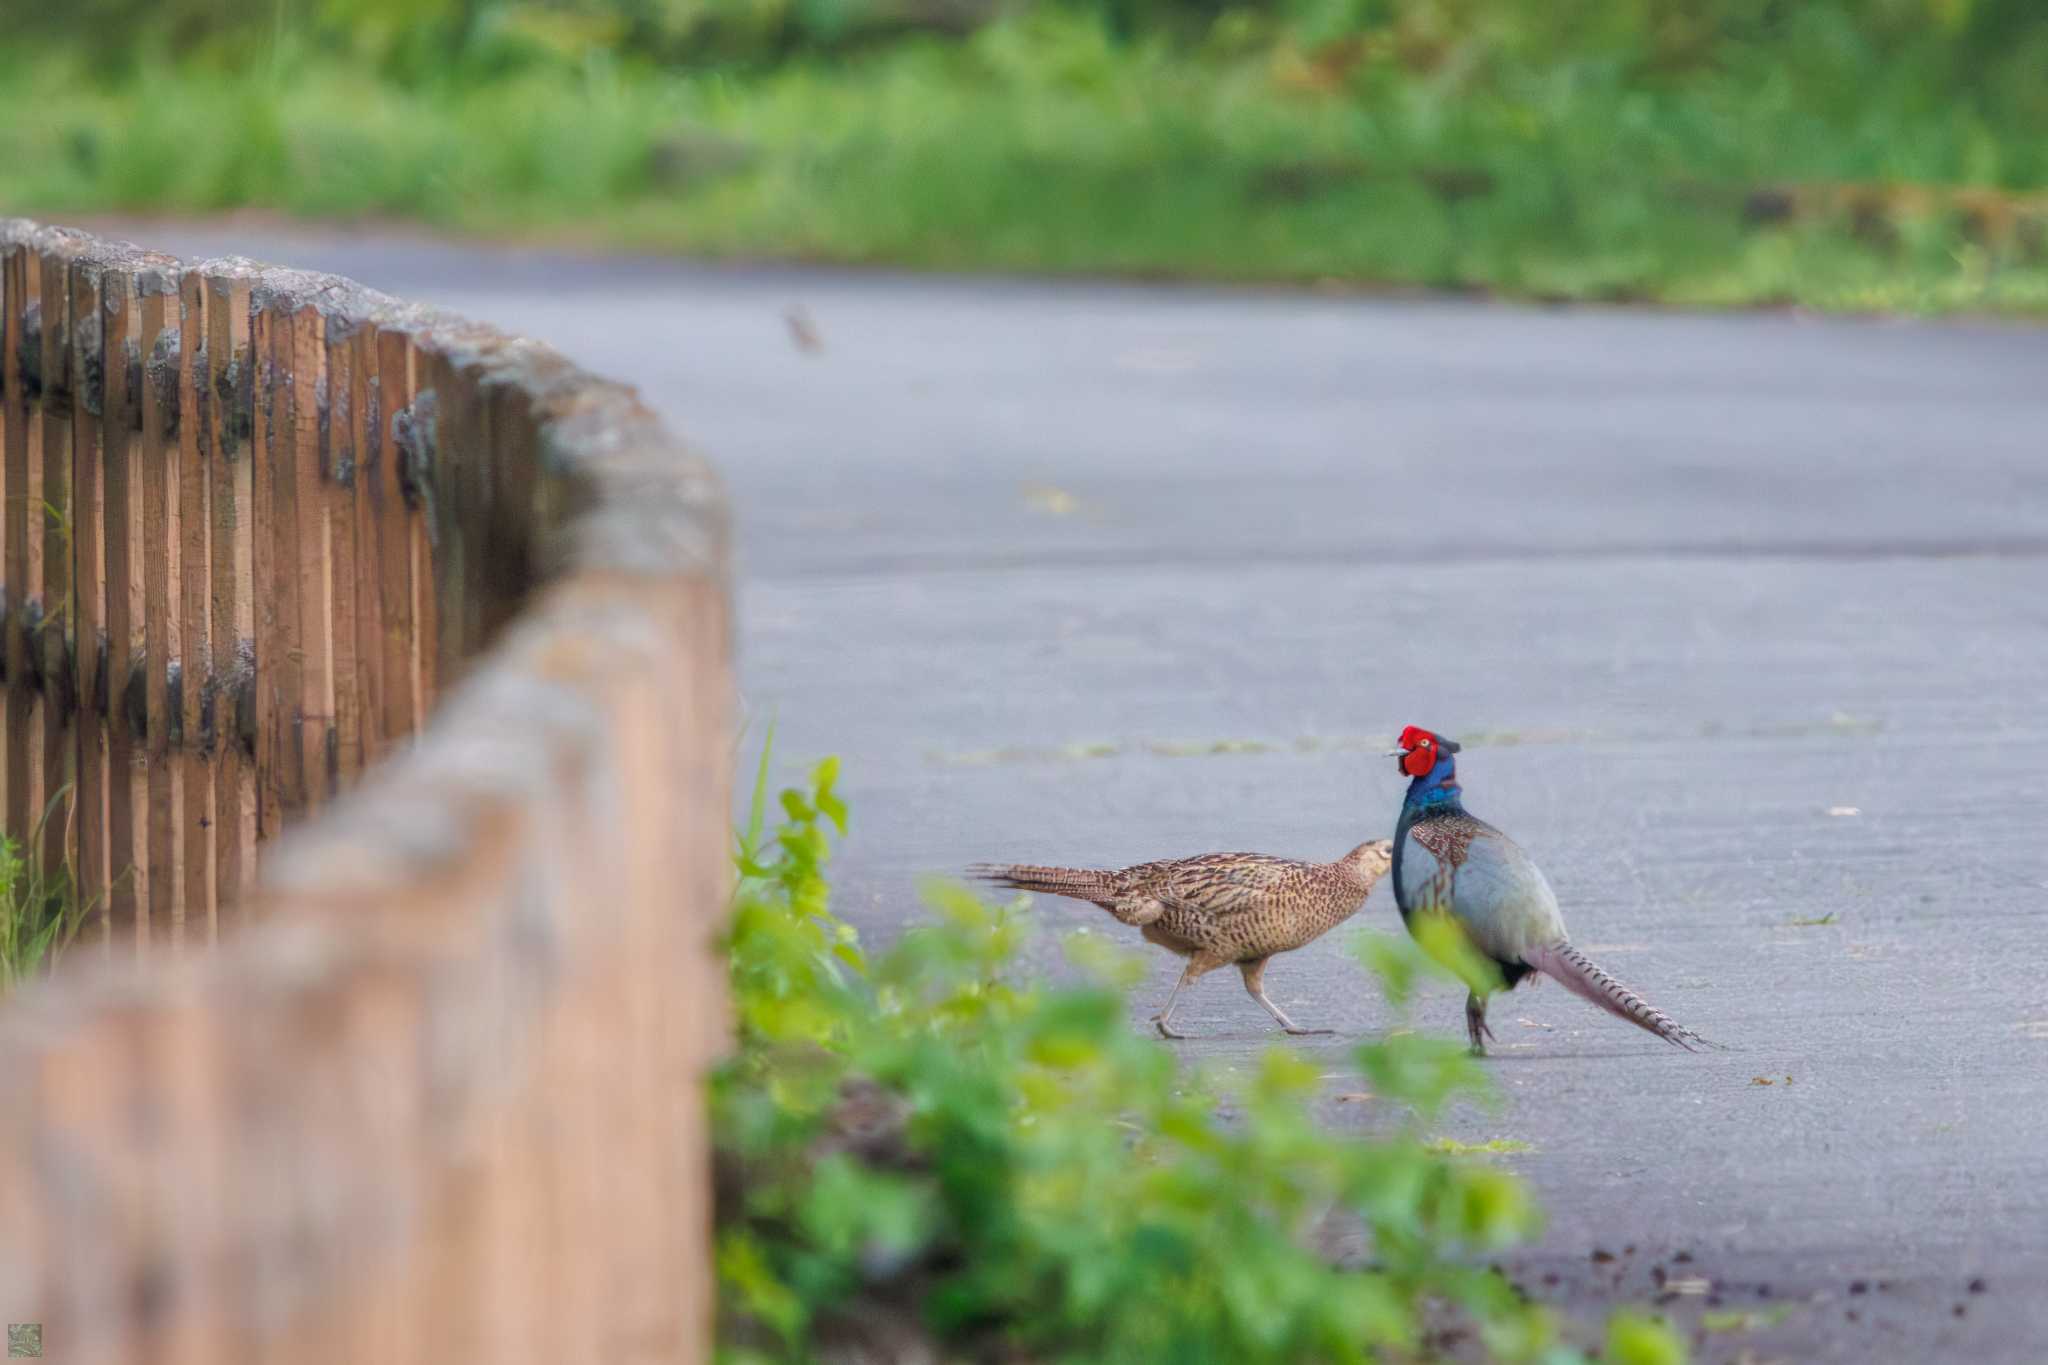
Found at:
[1011, 1170]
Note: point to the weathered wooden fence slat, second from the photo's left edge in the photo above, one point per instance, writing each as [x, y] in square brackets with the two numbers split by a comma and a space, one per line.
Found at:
[56, 590]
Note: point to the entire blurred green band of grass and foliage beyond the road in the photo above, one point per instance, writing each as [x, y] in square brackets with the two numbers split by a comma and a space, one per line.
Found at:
[1850, 155]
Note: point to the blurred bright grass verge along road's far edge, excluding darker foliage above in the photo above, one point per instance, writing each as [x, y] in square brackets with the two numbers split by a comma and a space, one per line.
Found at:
[1043, 146]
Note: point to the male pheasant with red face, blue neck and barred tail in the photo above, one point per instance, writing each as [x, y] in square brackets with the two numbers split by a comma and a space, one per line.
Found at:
[1453, 863]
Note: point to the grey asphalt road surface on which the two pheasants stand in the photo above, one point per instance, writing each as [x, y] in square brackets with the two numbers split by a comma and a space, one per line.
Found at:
[1742, 621]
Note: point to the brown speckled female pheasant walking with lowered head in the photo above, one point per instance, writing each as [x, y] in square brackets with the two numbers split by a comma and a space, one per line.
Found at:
[1218, 908]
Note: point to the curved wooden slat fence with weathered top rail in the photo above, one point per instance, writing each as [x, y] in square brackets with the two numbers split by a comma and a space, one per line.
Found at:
[435, 1096]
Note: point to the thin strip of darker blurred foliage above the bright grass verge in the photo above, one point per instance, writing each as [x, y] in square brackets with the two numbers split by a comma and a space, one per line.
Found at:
[1967, 44]
